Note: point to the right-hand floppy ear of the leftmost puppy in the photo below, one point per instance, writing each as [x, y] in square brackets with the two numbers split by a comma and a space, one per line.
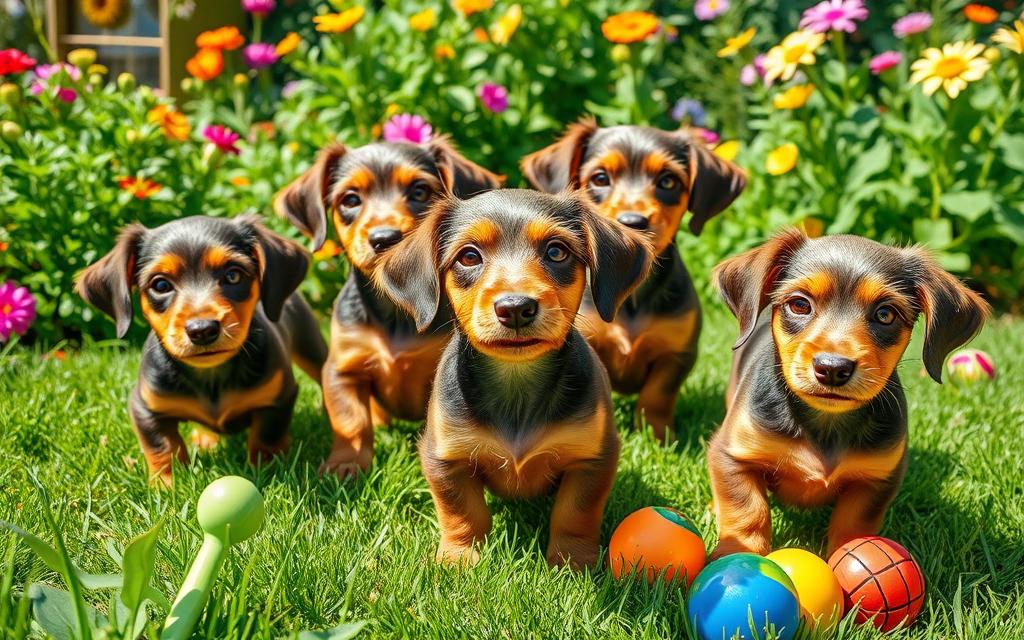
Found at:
[283, 266]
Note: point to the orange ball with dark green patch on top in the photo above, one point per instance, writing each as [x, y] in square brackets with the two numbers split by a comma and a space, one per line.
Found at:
[658, 541]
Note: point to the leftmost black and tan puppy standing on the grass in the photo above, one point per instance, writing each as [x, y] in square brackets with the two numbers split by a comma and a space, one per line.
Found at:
[220, 295]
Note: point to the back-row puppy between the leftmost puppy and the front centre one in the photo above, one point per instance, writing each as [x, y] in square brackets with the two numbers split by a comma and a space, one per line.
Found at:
[378, 366]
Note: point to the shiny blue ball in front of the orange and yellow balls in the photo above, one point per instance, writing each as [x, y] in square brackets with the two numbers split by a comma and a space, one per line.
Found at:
[737, 589]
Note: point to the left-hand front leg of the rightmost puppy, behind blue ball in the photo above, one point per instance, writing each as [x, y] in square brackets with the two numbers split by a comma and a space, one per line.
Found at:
[741, 504]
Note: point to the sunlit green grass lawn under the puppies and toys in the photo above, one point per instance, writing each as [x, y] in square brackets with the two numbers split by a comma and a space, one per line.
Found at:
[363, 550]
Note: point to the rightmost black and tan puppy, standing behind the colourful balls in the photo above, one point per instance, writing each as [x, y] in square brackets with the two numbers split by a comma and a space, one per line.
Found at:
[817, 413]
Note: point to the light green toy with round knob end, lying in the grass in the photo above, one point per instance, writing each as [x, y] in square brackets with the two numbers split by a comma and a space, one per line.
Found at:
[230, 511]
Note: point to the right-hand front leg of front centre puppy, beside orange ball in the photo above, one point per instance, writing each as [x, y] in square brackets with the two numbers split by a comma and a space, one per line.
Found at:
[579, 509]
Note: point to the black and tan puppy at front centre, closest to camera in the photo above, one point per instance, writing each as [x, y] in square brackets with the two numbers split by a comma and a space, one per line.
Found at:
[521, 404]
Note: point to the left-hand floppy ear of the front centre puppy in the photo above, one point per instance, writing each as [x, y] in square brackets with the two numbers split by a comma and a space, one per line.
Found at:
[408, 273]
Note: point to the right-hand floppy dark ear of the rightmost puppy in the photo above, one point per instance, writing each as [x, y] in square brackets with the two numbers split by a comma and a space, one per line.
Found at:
[954, 314]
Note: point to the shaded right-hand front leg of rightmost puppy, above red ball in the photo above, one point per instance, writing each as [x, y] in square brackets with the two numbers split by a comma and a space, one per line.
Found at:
[862, 507]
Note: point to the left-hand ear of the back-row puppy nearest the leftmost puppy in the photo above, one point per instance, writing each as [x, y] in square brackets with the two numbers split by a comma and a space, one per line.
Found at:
[305, 202]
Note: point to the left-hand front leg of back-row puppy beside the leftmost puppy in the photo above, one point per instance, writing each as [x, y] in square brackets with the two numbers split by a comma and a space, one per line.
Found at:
[348, 401]
